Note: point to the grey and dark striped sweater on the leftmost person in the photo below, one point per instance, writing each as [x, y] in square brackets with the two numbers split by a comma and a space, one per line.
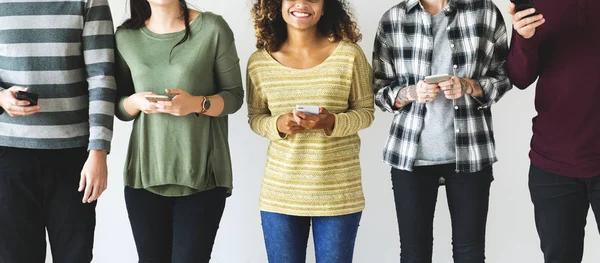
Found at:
[63, 51]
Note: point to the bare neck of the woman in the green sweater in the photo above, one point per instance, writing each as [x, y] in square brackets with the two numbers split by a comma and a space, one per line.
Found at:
[165, 18]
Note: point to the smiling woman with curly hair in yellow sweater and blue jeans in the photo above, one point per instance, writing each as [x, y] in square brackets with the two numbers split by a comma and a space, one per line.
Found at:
[308, 56]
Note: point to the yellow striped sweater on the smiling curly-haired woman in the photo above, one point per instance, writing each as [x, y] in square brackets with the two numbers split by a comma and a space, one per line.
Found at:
[311, 173]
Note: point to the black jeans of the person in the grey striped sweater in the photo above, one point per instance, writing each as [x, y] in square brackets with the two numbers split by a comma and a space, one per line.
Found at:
[38, 192]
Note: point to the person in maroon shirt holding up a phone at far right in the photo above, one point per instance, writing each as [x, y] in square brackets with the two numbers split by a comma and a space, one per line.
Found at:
[561, 46]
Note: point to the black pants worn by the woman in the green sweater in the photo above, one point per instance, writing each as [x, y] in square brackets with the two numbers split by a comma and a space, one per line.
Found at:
[174, 229]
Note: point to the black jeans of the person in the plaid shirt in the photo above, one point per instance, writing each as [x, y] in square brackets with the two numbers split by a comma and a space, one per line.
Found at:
[415, 194]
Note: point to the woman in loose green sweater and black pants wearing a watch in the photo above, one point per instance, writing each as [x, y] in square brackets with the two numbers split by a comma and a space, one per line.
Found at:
[178, 167]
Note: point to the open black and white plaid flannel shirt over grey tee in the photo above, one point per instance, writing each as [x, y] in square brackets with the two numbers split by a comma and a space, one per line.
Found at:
[402, 56]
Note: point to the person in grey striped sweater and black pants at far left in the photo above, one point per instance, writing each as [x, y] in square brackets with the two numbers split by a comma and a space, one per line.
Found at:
[53, 154]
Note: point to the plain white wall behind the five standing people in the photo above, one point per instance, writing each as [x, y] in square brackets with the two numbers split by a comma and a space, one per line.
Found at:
[511, 237]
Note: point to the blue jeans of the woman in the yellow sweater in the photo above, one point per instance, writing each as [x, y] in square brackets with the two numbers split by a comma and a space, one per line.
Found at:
[286, 237]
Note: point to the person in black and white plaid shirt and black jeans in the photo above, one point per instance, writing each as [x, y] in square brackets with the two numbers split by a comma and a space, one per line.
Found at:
[441, 130]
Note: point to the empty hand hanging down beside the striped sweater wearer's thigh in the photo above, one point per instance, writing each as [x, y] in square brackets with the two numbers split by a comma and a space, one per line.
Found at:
[93, 176]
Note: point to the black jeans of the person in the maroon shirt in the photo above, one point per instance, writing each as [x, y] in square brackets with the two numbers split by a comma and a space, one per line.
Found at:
[561, 207]
